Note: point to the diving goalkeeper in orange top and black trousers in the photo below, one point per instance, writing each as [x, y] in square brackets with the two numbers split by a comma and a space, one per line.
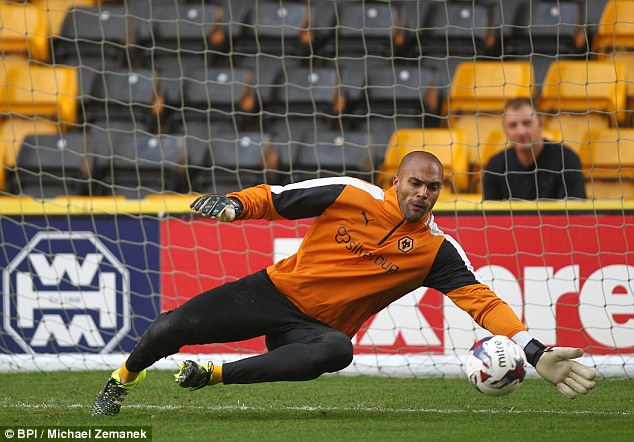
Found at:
[365, 249]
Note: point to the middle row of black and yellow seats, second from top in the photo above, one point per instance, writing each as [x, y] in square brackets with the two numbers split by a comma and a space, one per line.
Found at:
[140, 96]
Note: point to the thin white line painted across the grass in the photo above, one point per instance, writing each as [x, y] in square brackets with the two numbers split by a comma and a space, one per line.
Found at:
[23, 405]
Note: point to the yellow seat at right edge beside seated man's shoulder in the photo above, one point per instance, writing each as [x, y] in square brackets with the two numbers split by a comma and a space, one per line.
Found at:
[608, 163]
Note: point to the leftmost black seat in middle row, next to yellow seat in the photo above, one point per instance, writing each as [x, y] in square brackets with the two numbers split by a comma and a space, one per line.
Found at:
[125, 98]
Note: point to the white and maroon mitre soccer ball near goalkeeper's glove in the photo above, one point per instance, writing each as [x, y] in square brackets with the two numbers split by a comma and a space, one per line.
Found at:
[496, 365]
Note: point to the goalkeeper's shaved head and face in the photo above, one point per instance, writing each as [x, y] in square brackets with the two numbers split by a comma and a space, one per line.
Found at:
[418, 181]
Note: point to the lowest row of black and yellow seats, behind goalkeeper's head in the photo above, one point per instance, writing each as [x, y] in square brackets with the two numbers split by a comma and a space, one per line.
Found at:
[135, 165]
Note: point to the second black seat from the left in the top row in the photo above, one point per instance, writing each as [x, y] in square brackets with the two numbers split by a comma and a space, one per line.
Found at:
[181, 33]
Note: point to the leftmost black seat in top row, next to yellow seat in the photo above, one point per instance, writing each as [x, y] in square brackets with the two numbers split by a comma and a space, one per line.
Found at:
[99, 37]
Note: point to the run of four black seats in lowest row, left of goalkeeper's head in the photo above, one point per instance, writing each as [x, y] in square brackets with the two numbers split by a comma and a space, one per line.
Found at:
[136, 164]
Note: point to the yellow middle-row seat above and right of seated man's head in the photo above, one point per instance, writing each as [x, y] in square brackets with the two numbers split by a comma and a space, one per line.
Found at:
[583, 87]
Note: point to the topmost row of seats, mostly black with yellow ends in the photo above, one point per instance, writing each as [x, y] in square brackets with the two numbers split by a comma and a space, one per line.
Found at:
[103, 34]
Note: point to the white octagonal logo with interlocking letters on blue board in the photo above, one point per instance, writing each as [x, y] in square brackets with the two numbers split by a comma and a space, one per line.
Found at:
[66, 292]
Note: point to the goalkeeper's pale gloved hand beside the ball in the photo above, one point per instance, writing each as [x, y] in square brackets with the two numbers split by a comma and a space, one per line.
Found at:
[571, 378]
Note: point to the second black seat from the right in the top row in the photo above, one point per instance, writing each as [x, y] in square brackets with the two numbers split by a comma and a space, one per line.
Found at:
[458, 28]
